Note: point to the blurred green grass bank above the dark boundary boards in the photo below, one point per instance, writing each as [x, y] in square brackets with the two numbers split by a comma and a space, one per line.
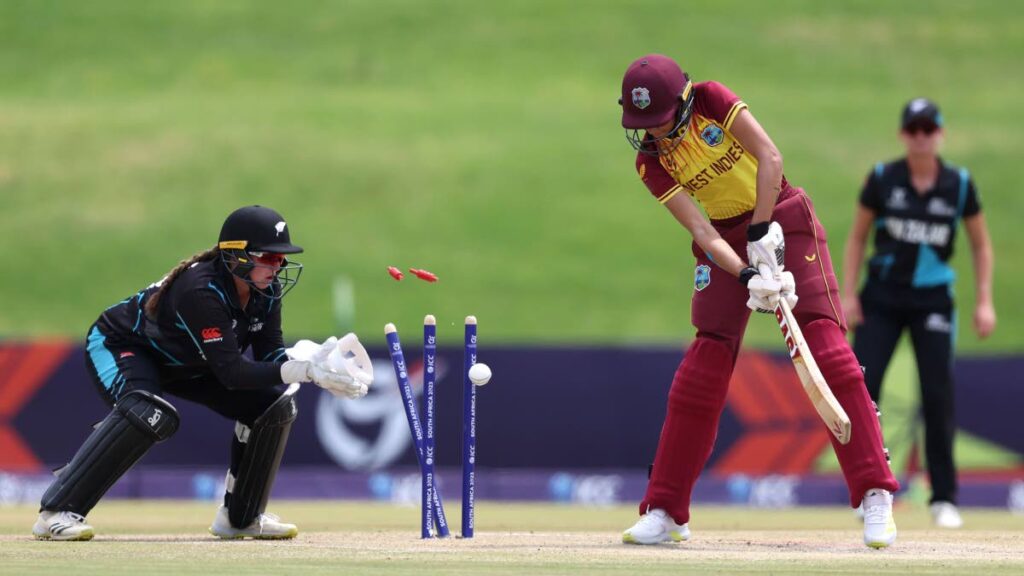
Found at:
[480, 142]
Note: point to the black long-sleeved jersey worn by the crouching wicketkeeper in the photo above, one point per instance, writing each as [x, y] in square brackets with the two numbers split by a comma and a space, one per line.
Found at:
[201, 330]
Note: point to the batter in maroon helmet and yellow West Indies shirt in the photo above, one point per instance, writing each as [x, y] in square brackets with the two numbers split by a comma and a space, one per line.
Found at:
[699, 144]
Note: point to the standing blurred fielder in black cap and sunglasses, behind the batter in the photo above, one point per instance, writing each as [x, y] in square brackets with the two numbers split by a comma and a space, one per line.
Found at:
[915, 205]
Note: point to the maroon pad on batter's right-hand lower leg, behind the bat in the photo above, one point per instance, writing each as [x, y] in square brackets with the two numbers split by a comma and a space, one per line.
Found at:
[864, 460]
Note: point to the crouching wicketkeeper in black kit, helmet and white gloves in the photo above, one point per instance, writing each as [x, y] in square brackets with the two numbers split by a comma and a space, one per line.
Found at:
[186, 337]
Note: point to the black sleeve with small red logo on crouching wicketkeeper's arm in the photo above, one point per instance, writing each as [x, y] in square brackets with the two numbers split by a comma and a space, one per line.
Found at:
[203, 315]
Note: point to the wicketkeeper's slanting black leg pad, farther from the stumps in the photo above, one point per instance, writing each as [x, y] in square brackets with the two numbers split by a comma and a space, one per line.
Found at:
[139, 421]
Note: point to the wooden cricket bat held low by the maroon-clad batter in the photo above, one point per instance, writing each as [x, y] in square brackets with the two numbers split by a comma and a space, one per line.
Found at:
[815, 384]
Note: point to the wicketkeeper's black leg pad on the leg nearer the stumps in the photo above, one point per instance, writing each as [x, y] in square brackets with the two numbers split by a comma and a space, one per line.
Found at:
[265, 447]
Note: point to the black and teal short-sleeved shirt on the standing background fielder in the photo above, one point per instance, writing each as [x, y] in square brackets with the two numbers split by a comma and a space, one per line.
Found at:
[915, 233]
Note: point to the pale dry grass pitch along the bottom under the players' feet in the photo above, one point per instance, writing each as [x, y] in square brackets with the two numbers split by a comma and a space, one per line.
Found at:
[363, 539]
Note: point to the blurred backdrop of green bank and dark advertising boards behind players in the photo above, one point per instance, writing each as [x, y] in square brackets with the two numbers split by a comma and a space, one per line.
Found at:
[482, 143]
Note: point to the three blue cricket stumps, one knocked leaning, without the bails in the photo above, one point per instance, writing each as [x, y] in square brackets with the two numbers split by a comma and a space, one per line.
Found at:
[423, 437]
